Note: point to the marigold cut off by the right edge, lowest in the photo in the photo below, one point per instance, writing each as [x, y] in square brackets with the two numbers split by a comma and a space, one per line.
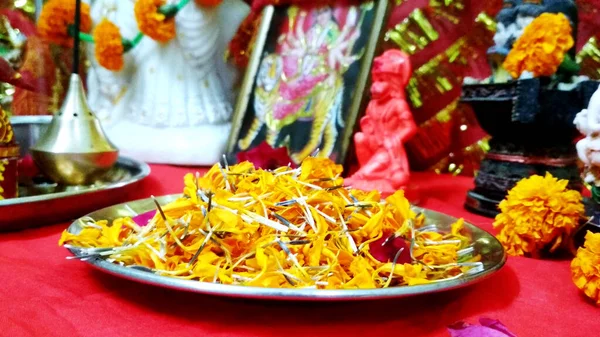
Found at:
[586, 267]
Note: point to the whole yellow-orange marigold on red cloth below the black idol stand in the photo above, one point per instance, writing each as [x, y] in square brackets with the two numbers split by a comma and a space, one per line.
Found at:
[538, 213]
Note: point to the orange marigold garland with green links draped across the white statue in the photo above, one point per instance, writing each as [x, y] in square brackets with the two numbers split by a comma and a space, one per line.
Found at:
[155, 19]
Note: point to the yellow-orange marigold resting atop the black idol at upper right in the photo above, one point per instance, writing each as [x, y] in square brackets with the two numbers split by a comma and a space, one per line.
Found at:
[542, 47]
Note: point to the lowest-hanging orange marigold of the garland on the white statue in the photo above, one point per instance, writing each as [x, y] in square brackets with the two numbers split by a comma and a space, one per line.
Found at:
[109, 45]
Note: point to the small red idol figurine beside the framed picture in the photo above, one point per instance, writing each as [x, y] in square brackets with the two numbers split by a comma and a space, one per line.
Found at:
[386, 126]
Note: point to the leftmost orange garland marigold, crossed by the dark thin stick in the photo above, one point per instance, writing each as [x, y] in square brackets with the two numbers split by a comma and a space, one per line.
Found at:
[57, 16]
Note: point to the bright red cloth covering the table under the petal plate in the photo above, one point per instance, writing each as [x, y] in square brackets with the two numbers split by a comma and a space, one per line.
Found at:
[43, 294]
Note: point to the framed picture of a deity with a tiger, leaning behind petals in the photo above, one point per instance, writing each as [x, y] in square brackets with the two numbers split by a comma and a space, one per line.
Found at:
[306, 82]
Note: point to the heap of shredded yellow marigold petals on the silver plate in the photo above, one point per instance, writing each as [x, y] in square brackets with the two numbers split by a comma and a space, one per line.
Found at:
[286, 228]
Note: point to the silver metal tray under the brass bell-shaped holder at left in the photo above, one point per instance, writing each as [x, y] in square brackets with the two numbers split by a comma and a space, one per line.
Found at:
[48, 203]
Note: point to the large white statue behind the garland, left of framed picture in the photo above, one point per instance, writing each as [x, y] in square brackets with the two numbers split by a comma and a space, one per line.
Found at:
[172, 102]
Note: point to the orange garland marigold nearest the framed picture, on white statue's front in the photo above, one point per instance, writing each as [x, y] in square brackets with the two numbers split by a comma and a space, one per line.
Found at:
[152, 23]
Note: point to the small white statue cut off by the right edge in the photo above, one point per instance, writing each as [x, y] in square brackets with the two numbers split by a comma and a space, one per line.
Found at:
[588, 149]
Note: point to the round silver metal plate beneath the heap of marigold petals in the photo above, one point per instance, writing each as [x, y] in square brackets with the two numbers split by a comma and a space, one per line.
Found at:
[485, 244]
